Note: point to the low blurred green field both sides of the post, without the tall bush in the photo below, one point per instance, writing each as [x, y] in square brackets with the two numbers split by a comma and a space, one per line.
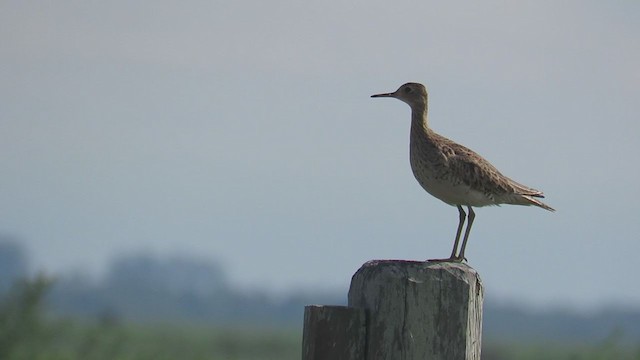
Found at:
[105, 340]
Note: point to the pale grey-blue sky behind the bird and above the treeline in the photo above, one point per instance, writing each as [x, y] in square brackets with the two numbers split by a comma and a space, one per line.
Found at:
[244, 132]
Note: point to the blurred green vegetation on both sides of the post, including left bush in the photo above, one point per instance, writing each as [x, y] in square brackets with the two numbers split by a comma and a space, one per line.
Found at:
[26, 332]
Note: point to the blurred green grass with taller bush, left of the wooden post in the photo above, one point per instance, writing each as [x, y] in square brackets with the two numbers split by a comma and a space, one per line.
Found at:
[26, 332]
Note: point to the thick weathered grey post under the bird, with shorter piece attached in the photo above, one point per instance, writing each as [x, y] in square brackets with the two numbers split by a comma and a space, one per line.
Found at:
[414, 310]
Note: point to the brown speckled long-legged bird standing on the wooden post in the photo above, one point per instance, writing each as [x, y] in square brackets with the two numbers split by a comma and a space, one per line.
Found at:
[453, 173]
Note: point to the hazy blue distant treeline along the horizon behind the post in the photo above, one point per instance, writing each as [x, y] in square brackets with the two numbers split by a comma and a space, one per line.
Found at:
[146, 288]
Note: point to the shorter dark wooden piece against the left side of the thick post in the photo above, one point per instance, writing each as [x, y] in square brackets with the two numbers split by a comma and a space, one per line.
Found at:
[333, 332]
